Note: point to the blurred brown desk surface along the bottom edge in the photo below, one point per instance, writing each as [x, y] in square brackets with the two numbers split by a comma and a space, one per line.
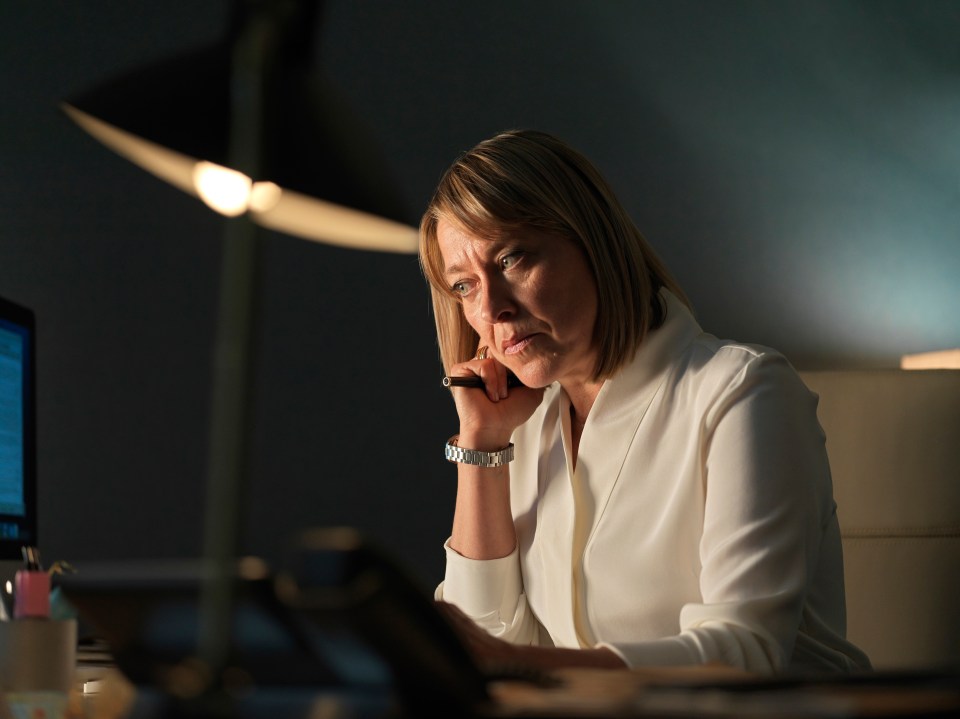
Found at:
[696, 693]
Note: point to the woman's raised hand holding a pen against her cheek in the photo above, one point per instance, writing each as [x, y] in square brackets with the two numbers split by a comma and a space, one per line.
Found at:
[488, 417]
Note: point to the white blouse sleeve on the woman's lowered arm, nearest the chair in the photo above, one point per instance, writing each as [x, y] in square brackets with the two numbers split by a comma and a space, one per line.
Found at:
[768, 508]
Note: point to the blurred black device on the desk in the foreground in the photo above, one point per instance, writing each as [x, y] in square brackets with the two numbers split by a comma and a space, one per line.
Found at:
[341, 619]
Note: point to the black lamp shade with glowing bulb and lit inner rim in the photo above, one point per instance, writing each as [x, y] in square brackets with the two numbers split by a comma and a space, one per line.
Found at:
[317, 175]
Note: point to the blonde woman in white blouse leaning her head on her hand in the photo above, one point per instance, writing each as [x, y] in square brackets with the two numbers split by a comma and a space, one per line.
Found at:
[651, 494]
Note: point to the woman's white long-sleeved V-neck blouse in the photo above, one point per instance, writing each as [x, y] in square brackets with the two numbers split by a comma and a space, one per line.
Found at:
[699, 525]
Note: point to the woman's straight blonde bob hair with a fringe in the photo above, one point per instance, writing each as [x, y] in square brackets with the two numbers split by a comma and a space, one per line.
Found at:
[528, 180]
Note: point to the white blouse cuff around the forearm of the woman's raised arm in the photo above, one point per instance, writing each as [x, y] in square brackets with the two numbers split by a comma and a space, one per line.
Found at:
[490, 592]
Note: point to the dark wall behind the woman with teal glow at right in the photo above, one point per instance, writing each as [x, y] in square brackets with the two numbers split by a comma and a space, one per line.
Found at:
[796, 163]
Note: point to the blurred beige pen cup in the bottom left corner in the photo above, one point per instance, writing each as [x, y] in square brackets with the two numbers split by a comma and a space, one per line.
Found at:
[37, 665]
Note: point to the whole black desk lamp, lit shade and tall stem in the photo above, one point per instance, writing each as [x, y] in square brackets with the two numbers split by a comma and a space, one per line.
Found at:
[242, 126]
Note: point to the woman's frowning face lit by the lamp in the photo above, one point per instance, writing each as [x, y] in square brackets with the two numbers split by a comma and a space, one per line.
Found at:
[530, 296]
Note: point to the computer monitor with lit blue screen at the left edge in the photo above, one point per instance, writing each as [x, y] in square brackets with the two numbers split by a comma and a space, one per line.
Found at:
[18, 512]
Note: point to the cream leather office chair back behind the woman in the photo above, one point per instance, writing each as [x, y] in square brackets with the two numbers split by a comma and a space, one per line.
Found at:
[893, 438]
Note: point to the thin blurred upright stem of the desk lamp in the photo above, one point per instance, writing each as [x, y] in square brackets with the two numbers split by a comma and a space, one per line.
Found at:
[237, 321]
